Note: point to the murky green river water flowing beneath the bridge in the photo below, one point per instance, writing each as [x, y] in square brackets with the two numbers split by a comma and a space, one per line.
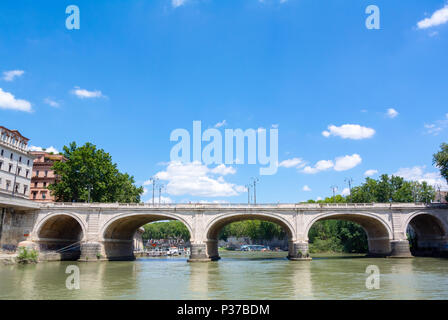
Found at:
[238, 275]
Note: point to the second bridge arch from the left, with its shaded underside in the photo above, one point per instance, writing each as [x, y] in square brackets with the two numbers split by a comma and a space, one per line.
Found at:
[117, 233]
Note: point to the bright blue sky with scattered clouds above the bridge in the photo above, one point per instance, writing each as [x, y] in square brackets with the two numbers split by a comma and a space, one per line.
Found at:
[136, 70]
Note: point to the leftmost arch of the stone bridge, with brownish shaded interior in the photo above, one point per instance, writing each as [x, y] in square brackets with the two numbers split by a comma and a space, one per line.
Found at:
[59, 230]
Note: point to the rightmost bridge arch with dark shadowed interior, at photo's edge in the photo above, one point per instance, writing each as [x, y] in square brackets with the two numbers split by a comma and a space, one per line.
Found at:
[429, 233]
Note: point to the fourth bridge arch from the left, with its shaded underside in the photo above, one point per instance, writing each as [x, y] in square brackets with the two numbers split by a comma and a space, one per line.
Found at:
[379, 232]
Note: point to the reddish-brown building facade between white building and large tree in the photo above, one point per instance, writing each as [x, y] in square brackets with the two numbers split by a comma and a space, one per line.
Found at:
[43, 175]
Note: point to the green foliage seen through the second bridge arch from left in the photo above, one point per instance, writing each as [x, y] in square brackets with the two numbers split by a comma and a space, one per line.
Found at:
[166, 230]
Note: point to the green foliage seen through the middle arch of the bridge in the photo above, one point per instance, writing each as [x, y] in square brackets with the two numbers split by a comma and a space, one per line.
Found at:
[253, 229]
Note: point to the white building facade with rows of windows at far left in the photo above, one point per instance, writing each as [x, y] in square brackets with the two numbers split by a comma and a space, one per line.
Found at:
[16, 164]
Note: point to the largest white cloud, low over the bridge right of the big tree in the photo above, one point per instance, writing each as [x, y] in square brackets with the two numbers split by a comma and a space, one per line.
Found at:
[197, 179]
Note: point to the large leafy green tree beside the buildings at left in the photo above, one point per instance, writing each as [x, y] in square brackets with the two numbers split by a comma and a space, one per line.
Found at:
[88, 166]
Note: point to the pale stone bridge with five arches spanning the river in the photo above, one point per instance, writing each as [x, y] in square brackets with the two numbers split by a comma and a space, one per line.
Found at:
[105, 231]
